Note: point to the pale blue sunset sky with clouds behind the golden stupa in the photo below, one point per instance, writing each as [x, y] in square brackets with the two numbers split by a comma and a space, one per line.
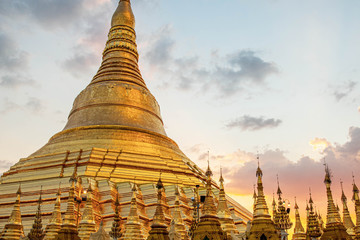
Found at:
[273, 78]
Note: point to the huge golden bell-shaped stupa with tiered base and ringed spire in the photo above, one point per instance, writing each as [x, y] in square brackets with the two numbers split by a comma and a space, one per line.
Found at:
[114, 137]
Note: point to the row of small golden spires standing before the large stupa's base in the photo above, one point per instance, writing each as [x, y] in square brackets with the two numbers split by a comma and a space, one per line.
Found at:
[57, 228]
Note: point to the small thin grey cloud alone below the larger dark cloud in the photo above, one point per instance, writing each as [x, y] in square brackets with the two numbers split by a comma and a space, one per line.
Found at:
[250, 123]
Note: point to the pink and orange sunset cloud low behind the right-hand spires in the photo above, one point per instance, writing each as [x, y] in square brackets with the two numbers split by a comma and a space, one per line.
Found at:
[296, 177]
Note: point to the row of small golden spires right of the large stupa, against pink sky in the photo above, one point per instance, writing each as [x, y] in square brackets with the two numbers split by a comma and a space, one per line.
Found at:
[315, 225]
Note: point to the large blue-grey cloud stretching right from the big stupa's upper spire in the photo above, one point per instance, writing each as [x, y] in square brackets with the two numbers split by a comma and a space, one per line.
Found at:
[227, 74]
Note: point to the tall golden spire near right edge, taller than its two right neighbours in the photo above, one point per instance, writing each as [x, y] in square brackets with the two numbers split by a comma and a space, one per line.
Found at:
[334, 229]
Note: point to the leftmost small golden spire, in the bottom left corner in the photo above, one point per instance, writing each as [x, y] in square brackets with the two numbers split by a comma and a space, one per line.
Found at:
[13, 230]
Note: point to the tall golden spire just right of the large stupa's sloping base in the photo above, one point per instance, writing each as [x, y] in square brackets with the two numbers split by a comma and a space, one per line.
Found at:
[262, 227]
